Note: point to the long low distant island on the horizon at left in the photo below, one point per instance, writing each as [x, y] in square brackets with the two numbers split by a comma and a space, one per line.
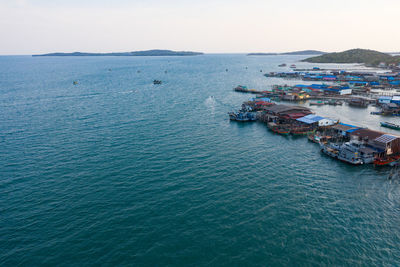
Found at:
[135, 53]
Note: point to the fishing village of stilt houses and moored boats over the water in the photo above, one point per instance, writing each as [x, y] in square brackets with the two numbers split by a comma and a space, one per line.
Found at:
[352, 144]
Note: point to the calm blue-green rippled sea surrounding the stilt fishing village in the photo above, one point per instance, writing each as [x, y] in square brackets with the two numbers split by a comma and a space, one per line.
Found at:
[116, 170]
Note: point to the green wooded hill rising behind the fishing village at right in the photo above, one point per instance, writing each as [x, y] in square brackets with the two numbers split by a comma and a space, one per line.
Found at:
[365, 56]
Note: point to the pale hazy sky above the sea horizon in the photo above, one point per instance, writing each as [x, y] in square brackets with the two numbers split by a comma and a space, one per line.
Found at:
[41, 26]
